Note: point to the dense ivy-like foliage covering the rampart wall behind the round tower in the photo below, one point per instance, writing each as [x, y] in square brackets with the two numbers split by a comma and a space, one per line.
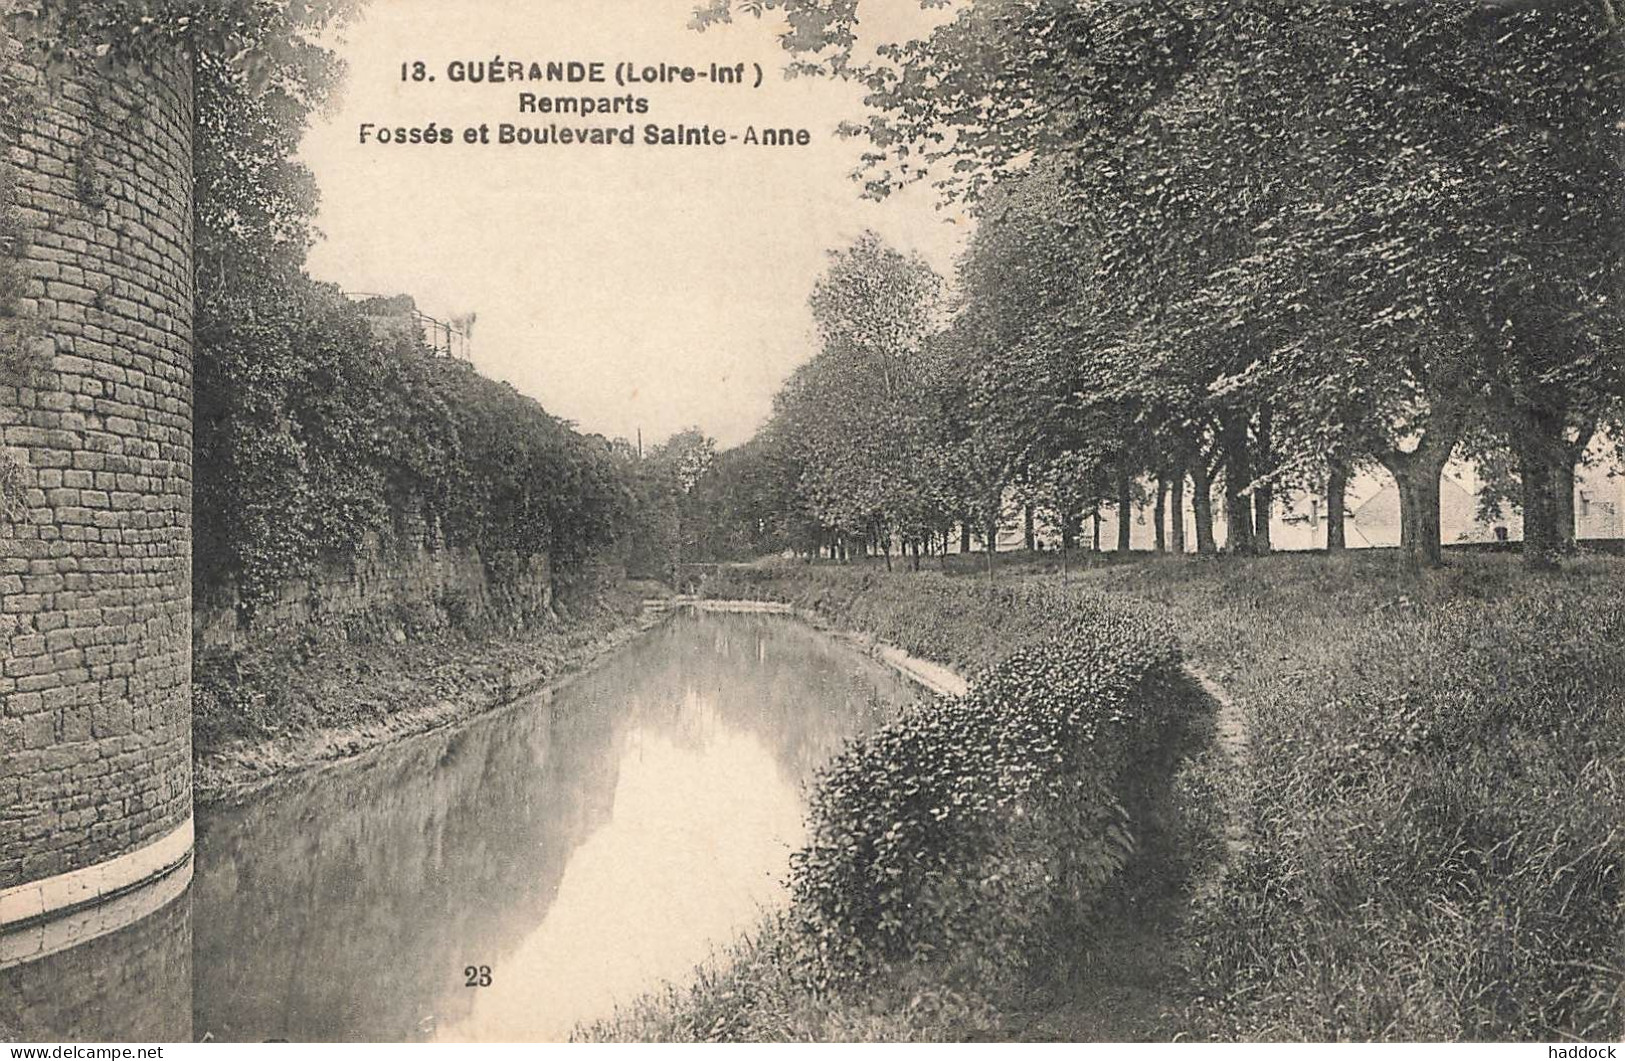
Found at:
[313, 436]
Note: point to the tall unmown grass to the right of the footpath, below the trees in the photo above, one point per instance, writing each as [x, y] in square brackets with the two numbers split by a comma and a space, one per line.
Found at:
[1436, 797]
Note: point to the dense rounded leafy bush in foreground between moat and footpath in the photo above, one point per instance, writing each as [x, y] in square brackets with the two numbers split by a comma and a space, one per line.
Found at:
[989, 821]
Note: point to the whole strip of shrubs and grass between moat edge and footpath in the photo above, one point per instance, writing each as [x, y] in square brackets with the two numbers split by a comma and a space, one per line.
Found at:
[960, 854]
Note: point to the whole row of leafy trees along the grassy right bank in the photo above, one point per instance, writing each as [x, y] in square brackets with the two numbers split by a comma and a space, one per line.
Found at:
[1239, 248]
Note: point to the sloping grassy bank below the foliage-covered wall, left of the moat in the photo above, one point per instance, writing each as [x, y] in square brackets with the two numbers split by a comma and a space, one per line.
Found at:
[298, 699]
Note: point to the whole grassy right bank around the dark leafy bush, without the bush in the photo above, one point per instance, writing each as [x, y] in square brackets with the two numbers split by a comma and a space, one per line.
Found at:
[1434, 799]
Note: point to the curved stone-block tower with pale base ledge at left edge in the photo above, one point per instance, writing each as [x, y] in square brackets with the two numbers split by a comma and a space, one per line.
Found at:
[97, 571]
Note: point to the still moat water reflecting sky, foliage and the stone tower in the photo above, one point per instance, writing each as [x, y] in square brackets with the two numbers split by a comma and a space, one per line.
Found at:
[563, 855]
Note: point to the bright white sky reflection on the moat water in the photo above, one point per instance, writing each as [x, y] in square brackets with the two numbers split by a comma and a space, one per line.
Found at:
[696, 844]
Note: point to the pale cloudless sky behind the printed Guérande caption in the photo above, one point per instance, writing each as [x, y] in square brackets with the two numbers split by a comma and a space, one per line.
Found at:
[623, 288]
